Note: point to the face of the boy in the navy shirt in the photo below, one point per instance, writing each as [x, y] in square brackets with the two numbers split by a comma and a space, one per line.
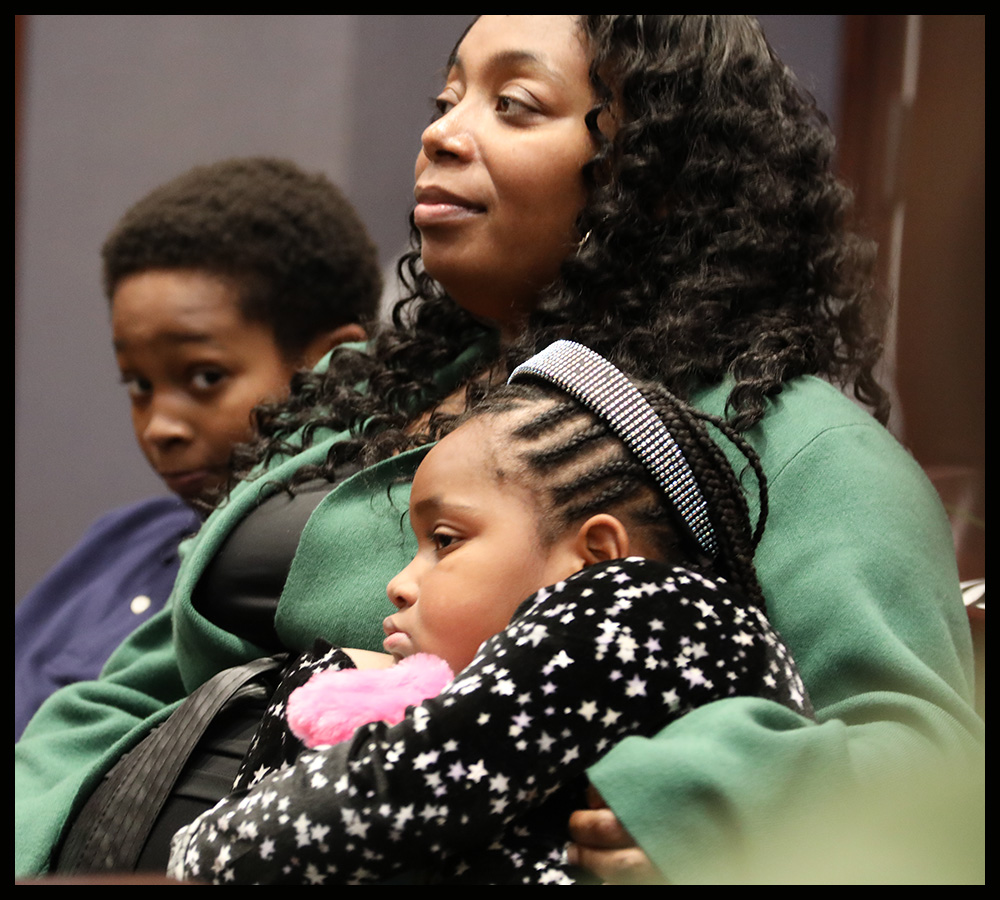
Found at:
[194, 368]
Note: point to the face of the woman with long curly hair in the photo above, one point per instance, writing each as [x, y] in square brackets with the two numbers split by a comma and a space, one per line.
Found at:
[498, 178]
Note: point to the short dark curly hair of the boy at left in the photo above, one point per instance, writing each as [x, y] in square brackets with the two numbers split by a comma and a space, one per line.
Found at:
[296, 250]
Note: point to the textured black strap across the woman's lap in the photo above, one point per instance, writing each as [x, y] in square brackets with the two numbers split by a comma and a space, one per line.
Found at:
[114, 824]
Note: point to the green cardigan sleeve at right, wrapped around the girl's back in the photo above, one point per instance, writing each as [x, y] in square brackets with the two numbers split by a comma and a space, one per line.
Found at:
[859, 574]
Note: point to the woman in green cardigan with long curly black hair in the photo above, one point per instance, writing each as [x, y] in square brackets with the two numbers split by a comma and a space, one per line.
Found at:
[657, 188]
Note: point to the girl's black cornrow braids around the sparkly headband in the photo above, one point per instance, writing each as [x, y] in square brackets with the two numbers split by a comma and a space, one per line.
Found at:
[578, 467]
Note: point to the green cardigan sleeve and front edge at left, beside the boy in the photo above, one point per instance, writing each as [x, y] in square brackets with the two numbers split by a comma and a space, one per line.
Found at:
[81, 730]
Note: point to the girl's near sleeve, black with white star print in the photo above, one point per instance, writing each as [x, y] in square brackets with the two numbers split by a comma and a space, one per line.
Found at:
[620, 649]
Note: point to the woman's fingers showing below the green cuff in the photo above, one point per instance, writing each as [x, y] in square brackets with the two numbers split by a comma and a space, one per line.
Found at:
[603, 846]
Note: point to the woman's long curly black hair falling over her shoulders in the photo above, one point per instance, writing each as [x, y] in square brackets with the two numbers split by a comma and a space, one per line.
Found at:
[714, 245]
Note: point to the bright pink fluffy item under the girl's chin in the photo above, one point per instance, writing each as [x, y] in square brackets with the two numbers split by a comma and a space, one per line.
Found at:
[332, 705]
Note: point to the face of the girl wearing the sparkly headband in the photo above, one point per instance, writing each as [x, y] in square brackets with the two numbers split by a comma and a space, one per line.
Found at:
[479, 551]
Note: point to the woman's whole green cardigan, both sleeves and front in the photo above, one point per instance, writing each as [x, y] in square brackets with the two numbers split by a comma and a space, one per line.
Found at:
[857, 566]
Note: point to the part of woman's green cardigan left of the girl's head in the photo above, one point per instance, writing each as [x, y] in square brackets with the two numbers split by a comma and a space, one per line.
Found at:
[352, 545]
